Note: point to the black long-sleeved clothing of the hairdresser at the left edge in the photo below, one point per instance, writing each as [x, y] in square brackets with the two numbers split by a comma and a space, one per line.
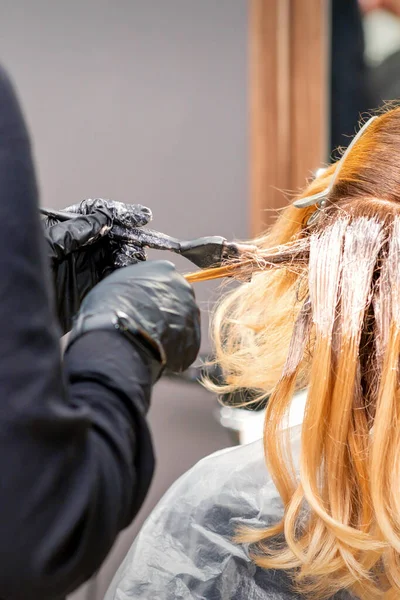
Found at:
[76, 453]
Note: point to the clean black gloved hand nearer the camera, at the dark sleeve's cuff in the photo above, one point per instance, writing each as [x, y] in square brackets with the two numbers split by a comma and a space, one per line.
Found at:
[153, 306]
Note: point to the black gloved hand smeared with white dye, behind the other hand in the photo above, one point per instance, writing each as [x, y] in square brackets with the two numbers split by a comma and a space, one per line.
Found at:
[83, 250]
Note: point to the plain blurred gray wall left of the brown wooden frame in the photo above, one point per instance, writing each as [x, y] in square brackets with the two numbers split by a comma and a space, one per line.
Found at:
[141, 101]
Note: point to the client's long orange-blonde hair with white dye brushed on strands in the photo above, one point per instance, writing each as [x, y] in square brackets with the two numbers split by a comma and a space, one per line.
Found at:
[323, 309]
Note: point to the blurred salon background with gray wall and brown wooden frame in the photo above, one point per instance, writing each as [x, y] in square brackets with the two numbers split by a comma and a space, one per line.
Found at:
[207, 112]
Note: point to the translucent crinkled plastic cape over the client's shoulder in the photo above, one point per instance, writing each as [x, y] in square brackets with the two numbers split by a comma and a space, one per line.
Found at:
[185, 550]
